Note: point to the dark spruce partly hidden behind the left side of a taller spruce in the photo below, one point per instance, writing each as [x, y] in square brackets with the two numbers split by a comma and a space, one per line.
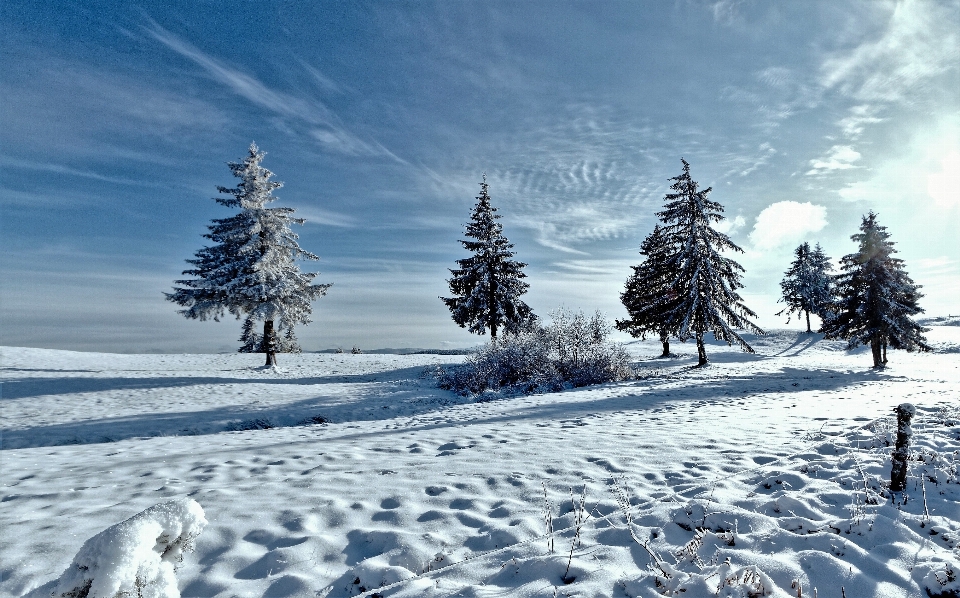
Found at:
[648, 293]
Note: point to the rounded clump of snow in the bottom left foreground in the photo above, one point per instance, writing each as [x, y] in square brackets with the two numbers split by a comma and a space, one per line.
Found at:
[135, 557]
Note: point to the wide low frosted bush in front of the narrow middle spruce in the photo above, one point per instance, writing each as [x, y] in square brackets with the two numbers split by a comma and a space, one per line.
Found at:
[573, 351]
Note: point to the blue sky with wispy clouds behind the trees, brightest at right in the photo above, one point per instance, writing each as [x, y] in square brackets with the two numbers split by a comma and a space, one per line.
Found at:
[381, 117]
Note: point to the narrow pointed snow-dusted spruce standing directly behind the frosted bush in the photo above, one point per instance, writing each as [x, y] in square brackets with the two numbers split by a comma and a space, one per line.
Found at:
[487, 286]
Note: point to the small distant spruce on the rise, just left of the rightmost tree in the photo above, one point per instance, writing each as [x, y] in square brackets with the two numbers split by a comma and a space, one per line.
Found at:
[807, 286]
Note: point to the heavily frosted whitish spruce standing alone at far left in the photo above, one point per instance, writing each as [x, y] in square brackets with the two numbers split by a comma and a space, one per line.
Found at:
[251, 270]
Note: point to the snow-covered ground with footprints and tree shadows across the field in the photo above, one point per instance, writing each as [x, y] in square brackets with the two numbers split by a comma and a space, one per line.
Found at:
[758, 472]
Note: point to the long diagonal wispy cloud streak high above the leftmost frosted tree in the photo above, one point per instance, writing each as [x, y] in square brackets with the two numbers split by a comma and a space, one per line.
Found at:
[323, 124]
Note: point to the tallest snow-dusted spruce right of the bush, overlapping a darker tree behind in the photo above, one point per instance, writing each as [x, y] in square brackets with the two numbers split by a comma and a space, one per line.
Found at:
[706, 283]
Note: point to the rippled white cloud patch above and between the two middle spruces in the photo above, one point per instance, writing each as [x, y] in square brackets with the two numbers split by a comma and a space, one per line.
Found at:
[576, 181]
